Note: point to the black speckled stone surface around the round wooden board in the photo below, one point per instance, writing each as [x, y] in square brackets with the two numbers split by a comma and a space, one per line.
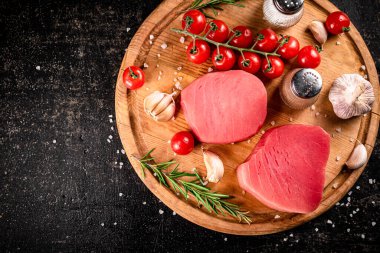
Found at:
[70, 196]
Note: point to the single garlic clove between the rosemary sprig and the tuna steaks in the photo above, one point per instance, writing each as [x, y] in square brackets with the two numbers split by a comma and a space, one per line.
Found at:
[214, 166]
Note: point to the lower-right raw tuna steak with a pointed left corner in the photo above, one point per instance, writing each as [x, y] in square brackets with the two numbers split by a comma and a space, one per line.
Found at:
[286, 170]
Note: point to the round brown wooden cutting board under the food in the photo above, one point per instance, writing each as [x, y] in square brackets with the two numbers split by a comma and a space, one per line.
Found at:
[139, 133]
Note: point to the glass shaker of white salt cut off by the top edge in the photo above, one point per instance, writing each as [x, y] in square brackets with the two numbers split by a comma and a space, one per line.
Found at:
[283, 13]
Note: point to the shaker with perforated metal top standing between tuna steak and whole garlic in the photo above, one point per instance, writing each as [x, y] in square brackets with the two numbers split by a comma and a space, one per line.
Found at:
[300, 88]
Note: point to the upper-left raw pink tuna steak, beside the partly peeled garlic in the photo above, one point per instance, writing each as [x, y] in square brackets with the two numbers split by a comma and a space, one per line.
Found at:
[225, 107]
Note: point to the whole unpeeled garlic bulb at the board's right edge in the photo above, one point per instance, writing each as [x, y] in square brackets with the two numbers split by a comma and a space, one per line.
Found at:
[351, 95]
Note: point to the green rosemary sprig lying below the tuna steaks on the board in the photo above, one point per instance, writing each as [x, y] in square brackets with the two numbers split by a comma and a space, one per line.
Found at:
[212, 201]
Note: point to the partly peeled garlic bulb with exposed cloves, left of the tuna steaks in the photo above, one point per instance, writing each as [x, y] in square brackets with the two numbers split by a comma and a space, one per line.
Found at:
[160, 106]
